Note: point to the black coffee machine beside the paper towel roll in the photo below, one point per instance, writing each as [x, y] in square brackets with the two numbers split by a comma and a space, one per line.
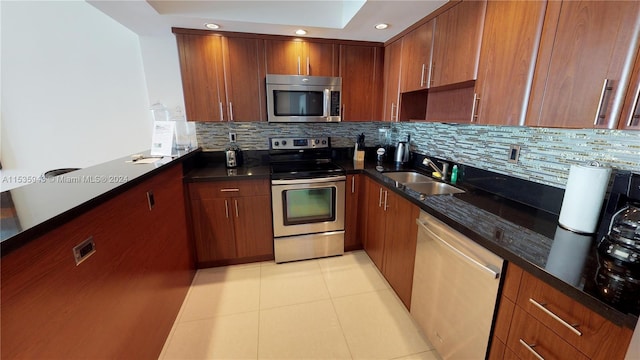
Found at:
[618, 276]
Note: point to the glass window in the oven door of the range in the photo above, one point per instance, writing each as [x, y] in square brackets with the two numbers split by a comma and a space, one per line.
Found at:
[306, 206]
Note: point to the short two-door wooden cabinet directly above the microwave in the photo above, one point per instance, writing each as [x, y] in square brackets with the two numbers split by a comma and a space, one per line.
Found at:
[301, 57]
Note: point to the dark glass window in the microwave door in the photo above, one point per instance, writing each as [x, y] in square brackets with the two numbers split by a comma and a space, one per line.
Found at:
[298, 103]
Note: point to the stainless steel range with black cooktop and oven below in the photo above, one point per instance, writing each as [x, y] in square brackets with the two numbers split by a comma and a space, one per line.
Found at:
[307, 198]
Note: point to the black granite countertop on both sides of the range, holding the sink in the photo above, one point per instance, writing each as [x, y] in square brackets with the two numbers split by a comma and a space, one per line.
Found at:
[524, 233]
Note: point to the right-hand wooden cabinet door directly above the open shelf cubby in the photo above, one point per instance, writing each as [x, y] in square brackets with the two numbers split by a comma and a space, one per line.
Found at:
[456, 43]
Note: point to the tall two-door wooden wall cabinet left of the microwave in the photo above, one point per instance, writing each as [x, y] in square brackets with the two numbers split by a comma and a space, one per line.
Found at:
[222, 77]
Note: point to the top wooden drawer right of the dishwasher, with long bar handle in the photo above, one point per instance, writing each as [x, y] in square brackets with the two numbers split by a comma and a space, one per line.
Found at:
[587, 331]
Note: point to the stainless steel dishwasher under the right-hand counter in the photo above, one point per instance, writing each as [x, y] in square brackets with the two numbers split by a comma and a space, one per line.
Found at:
[455, 287]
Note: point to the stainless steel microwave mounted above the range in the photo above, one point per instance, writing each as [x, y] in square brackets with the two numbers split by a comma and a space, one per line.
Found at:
[300, 98]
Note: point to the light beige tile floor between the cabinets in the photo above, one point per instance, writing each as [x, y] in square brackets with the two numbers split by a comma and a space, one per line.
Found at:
[331, 308]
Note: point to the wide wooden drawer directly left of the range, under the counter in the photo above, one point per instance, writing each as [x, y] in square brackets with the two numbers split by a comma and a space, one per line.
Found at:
[216, 189]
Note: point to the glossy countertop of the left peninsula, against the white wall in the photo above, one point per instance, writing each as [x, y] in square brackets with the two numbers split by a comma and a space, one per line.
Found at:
[45, 204]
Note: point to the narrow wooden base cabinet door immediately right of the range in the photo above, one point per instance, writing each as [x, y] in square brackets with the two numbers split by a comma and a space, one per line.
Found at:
[353, 212]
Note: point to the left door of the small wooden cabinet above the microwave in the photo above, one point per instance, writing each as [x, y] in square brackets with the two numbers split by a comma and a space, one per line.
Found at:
[284, 57]
